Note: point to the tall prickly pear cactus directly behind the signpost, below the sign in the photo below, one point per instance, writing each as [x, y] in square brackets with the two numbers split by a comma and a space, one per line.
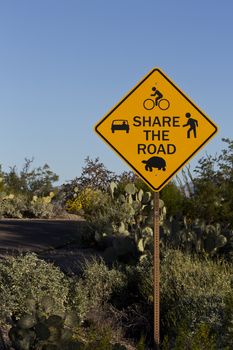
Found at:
[135, 233]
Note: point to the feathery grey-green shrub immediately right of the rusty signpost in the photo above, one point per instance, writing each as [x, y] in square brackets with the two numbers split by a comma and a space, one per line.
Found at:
[193, 290]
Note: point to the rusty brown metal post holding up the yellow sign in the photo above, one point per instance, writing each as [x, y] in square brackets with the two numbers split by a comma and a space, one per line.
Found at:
[156, 273]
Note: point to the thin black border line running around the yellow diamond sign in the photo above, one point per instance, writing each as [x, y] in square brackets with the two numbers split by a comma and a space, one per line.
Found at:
[156, 189]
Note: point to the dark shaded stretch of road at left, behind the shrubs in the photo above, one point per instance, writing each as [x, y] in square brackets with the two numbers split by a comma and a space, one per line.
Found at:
[55, 241]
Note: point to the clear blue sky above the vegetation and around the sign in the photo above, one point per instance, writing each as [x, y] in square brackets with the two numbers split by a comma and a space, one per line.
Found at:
[65, 63]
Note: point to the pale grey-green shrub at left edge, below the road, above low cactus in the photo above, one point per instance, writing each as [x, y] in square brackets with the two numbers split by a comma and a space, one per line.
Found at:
[25, 277]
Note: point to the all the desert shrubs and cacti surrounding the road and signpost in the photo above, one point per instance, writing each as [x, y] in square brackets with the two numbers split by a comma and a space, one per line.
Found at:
[109, 303]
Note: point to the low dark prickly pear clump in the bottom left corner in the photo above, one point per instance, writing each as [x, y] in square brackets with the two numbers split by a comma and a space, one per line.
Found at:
[37, 331]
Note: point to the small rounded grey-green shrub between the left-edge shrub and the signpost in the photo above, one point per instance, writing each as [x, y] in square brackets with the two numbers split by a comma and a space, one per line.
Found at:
[95, 286]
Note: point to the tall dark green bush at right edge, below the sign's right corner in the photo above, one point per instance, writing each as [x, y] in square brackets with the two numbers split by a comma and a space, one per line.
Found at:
[209, 193]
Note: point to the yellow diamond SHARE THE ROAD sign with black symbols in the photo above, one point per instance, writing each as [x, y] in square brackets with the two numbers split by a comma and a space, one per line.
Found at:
[156, 129]
